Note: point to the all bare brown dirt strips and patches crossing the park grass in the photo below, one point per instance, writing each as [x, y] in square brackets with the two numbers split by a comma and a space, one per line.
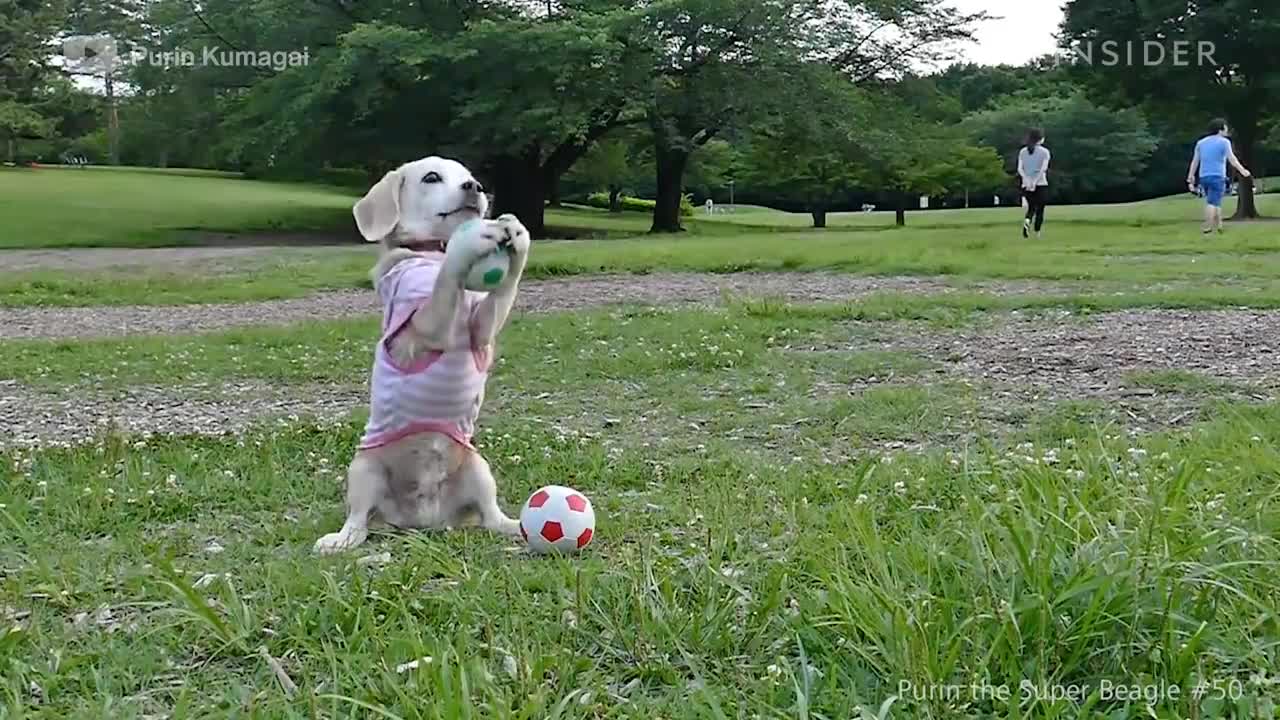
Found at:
[1013, 363]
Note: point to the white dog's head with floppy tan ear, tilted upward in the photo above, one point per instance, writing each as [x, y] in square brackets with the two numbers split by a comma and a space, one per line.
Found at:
[419, 203]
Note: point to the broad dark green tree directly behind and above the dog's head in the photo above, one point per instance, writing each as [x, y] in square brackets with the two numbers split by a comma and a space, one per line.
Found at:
[516, 93]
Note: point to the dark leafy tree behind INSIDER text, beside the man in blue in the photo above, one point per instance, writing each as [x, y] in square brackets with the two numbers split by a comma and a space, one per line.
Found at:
[1240, 78]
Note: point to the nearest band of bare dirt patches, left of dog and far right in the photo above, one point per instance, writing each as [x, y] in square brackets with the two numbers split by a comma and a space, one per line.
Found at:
[1016, 363]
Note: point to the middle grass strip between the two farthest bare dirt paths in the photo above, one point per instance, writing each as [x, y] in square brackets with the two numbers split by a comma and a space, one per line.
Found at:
[1246, 258]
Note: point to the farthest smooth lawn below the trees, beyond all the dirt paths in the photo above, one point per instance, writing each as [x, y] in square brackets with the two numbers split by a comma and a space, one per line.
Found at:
[57, 207]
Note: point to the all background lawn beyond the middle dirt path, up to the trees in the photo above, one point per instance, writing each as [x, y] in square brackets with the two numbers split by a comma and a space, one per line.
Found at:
[1148, 243]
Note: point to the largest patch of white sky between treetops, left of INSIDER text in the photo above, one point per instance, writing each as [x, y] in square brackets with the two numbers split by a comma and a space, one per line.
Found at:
[1023, 30]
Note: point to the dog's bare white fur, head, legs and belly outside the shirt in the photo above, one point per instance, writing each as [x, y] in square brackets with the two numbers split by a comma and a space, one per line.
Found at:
[429, 481]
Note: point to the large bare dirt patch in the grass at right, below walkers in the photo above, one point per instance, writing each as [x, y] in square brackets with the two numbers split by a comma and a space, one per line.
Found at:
[1026, 364]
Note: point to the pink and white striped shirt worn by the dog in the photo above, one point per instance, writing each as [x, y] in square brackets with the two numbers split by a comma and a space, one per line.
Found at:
[442, 391]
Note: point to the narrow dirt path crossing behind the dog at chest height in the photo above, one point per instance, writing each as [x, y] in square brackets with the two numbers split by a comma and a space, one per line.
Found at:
[537, 297]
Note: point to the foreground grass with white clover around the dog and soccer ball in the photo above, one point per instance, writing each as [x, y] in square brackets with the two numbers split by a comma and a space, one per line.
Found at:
[753, 557]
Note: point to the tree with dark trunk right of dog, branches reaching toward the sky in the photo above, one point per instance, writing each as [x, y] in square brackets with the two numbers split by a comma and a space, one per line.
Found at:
[721, 63]
